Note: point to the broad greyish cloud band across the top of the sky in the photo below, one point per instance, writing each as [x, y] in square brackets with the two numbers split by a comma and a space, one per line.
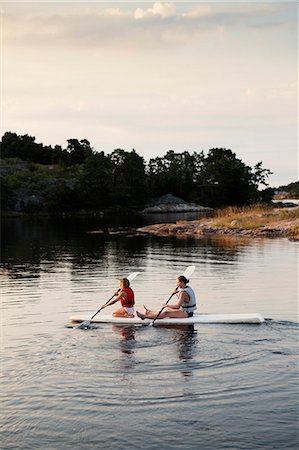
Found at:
[159, 25]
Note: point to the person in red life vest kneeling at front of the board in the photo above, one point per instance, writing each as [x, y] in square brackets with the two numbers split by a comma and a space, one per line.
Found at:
[126, 296]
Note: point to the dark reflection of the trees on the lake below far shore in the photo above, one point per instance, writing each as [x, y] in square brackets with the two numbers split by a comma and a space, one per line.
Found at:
[40, 245]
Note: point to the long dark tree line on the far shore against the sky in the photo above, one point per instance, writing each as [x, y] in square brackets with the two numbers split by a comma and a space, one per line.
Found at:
[80, 178]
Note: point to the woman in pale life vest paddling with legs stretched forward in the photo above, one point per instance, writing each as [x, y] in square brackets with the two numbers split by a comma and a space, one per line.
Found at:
[184, 307]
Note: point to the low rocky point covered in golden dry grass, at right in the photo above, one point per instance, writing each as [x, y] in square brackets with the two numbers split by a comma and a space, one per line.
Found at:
[256, 221]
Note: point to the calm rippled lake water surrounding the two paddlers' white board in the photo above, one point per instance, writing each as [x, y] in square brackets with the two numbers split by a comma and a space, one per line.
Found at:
[117, 387]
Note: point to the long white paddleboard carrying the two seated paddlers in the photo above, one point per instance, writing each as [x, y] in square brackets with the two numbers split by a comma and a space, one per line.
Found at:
[197, 318]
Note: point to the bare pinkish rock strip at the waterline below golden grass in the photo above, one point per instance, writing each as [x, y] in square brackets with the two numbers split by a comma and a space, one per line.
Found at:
[206, 227]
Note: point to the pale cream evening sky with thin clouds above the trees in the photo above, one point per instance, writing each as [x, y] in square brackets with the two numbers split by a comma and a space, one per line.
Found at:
[155, 76]
